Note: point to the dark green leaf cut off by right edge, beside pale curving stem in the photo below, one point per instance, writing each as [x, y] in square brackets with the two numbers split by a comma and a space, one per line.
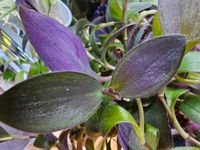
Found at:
[190, 107]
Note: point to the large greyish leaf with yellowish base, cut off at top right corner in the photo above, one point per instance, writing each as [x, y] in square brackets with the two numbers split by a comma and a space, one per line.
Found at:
[181, 16]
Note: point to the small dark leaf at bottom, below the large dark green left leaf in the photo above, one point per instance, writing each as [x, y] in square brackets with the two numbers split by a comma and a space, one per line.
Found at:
[42, 142]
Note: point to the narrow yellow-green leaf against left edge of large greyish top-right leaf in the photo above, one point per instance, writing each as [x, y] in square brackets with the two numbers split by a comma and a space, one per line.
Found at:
[156, 28]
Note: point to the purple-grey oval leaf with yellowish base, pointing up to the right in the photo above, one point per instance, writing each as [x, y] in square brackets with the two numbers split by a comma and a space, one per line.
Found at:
[148, 67]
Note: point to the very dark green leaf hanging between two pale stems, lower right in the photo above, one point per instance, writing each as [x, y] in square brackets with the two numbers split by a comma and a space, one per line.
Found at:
[156, 116]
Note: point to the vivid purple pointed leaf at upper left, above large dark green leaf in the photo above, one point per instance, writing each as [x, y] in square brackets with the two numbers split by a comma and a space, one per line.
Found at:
[57, 46]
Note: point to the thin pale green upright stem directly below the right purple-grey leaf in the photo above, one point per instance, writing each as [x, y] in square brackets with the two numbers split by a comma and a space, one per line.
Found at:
[141, 113]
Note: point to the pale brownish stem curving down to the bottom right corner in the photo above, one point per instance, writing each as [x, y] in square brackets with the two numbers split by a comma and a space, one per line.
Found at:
[178, 127]
